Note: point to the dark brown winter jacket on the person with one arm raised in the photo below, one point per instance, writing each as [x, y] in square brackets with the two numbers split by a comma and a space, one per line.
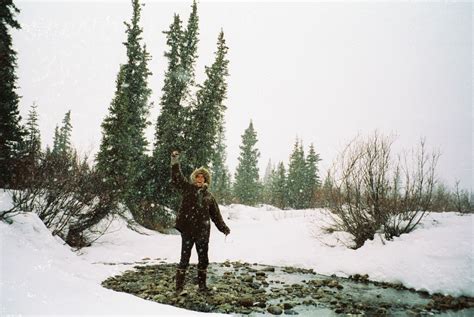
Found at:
[198, 207]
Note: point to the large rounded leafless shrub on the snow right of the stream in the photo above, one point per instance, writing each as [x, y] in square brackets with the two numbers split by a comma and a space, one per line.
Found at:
[369, 191]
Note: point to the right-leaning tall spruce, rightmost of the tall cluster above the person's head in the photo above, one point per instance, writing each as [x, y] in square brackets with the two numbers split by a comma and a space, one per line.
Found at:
[207, 116]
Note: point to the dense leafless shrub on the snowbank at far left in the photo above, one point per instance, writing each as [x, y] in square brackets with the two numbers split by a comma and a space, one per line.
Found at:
[66, 195]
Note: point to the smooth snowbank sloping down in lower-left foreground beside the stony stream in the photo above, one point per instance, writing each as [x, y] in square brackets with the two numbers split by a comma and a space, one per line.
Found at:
[40, 275]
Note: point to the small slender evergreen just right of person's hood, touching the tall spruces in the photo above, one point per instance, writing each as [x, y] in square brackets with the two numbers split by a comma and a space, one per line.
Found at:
[221, 183]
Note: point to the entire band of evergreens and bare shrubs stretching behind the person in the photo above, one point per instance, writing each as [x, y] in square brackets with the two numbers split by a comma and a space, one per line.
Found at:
[364, 190]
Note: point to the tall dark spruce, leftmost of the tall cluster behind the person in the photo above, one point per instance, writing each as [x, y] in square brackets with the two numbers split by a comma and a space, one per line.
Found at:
[121, 157]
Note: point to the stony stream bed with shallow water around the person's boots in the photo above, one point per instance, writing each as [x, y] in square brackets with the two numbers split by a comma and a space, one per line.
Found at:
[243, 288]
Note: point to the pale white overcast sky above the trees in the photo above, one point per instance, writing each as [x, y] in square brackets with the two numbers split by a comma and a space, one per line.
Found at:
[323, 72]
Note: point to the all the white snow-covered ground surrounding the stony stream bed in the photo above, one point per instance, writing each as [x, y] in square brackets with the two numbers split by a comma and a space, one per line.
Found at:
[42, 275]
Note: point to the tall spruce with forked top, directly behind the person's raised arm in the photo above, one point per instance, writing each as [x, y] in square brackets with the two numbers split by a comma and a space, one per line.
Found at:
[174, 125]
